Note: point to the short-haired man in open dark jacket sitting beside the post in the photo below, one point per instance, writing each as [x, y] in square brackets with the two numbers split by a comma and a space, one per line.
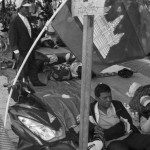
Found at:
[116, 122]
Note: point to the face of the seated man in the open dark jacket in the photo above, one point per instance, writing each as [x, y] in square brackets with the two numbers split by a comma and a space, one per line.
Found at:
[105, 100]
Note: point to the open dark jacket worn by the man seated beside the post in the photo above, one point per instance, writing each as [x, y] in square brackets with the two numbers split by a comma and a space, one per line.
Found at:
[117, 130]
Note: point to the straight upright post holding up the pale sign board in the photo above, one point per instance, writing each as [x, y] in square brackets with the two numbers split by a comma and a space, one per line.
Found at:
[87, 50]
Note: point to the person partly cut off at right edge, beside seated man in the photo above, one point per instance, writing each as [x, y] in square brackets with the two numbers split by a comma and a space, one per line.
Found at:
[141, 103]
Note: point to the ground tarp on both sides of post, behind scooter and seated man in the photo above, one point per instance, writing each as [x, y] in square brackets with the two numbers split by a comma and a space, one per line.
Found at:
[64, 97]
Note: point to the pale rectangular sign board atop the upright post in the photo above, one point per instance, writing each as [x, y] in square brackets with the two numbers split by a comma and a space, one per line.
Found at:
[90, 7]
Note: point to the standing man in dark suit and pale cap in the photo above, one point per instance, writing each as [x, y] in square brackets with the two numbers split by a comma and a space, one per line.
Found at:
[21, 39]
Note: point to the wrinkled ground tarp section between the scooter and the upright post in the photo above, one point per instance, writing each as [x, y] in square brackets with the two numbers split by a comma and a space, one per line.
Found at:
[64, 99]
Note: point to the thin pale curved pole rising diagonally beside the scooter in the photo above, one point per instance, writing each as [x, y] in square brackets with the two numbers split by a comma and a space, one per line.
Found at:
[28, 54]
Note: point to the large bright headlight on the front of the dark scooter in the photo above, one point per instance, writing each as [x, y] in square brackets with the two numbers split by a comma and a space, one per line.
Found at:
[44, 132]
